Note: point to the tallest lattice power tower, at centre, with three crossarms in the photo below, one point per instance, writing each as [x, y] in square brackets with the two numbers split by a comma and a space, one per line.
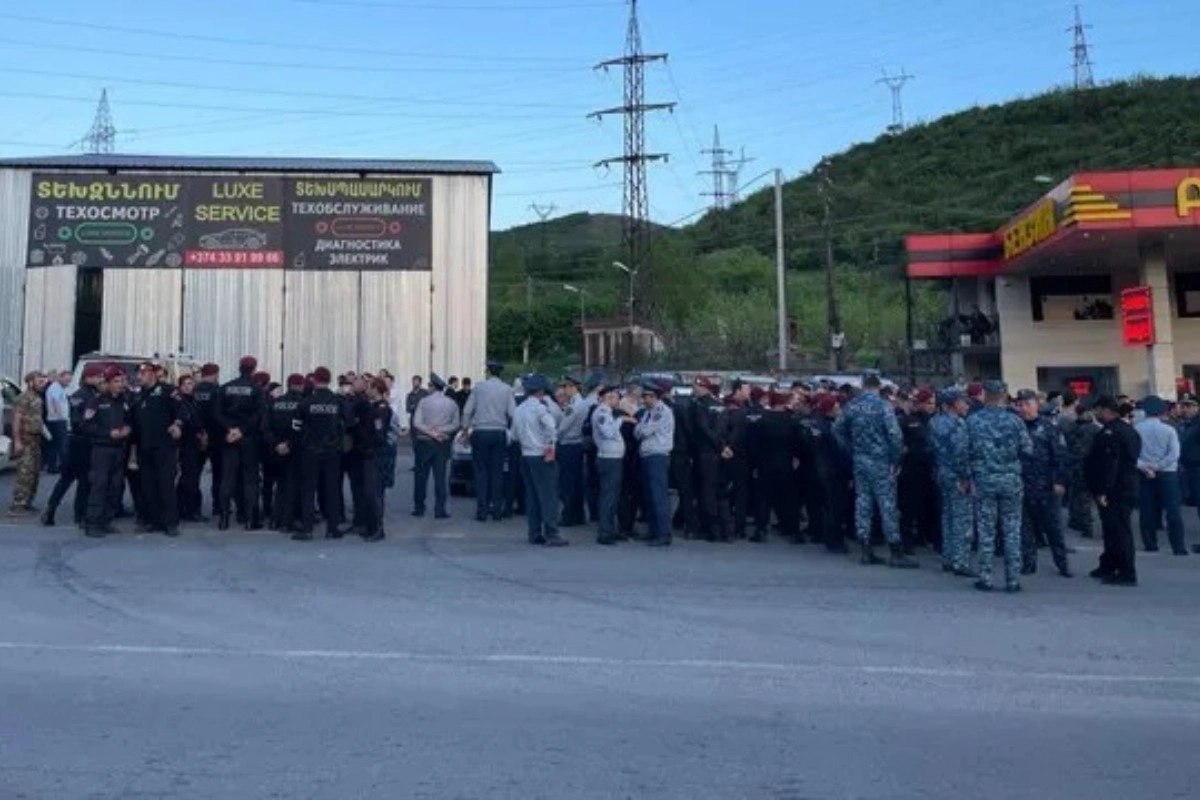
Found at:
[634, 160]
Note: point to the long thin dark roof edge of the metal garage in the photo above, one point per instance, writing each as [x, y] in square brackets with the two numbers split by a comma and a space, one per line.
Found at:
[268, 165]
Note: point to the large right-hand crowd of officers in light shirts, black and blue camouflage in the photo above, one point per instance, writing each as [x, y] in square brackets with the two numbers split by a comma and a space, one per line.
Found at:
[950, 471]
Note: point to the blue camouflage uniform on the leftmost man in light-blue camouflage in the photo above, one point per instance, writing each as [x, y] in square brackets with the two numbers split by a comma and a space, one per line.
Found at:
[871, 434]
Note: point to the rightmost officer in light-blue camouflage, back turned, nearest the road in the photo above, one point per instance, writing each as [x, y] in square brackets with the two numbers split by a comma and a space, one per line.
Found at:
[997, 441]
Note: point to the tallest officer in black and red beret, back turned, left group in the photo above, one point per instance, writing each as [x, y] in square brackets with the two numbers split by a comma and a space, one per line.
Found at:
[239, 413]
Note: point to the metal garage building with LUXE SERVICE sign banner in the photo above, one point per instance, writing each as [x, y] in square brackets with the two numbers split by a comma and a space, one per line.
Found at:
[350, 264]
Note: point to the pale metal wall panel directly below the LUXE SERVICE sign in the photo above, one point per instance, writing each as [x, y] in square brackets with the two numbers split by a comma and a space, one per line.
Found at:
[231, 314]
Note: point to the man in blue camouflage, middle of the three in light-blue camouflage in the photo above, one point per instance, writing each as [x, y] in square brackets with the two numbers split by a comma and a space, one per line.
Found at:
[949, 440]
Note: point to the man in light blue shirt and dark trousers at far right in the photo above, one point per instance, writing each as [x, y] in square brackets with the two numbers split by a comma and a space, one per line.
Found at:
[1161, 491]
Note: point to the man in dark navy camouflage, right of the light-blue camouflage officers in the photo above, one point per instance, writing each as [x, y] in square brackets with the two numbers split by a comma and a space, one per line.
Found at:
[1045, 476]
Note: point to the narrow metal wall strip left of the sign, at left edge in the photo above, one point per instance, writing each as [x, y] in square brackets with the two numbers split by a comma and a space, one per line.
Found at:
[14, 232]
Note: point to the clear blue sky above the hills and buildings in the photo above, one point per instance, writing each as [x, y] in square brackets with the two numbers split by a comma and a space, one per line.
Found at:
[514, 81]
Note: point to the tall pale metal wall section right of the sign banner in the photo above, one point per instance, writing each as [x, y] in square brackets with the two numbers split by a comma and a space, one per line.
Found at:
[460, 275]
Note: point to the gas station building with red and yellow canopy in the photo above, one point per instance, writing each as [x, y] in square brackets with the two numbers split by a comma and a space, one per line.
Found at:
[1096, 286]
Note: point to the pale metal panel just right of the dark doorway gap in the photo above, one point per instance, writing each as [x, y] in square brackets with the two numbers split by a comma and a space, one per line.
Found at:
[142, 312]
